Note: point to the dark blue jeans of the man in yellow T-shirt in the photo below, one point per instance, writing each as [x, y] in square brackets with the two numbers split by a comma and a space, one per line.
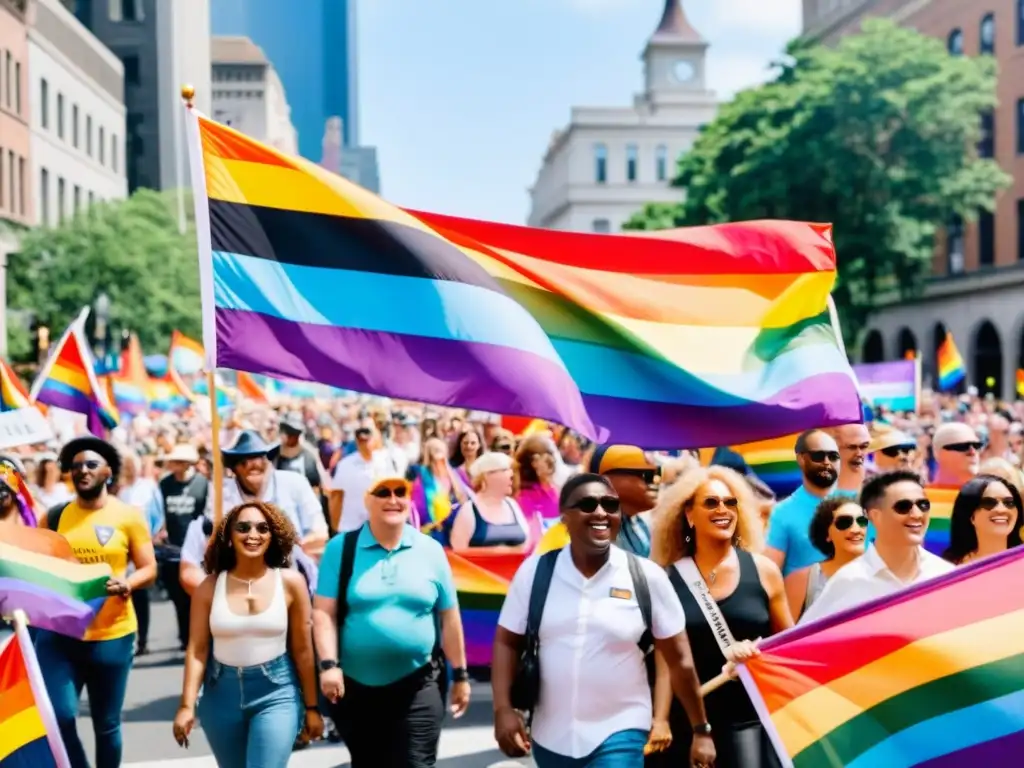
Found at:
[102, 668]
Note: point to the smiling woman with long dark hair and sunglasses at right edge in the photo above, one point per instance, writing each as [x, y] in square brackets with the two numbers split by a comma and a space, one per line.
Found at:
[986, 520]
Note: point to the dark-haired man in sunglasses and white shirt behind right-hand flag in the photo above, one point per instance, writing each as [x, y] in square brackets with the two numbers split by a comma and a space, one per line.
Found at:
[900, 513]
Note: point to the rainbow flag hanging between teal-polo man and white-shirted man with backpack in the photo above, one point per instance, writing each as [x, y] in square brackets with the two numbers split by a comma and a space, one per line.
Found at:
[482, 582]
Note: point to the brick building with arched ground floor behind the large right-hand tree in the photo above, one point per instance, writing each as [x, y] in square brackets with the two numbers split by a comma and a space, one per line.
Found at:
[977, 286]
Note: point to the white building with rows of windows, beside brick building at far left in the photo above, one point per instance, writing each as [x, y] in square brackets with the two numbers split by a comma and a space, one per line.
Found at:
[78, 116]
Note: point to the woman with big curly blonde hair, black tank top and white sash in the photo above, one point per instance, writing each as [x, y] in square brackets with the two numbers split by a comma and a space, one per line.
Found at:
[708, 529]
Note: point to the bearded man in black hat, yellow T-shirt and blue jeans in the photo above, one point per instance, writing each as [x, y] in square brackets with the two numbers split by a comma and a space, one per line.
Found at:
[101, 529]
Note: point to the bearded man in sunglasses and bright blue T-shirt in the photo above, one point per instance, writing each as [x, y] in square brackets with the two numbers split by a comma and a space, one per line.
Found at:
[789, 544]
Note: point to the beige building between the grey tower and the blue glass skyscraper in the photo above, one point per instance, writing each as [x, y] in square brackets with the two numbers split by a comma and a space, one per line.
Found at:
[248, 95]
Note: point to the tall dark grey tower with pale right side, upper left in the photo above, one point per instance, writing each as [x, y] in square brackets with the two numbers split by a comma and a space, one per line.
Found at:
[161, 46]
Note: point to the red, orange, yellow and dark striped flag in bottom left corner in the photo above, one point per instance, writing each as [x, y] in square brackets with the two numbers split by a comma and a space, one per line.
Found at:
[29, 734]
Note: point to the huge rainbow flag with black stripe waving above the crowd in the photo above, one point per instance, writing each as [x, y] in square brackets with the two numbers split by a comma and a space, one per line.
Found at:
[680, 338]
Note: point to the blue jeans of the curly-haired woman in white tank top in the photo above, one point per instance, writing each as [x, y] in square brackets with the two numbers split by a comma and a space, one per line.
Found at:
[251, 715]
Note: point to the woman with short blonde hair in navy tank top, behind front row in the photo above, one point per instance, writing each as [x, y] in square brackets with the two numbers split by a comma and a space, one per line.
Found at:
[492, 521]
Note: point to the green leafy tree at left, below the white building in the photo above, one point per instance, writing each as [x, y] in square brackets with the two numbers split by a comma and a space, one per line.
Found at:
[133, 250]
